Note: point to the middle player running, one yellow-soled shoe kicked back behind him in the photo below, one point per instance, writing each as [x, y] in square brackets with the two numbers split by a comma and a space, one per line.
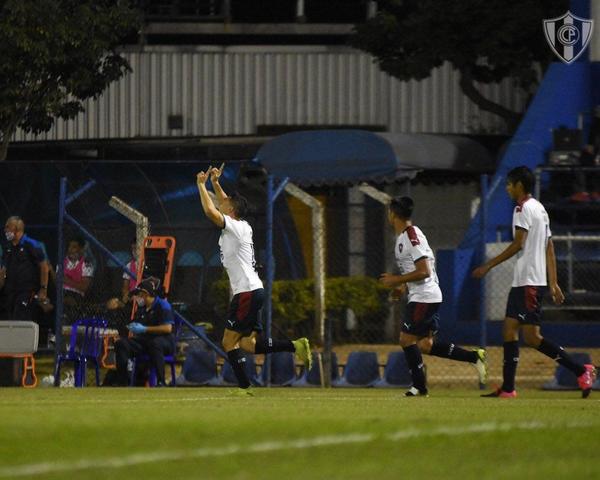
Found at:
[416, 262]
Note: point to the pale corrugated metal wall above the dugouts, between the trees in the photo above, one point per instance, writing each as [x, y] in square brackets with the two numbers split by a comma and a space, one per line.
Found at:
[229, 91]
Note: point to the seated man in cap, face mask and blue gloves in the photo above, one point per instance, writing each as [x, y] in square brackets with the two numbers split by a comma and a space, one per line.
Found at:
[152, 332]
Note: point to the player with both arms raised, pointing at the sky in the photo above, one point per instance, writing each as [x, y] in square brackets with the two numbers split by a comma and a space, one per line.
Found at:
[237, 255]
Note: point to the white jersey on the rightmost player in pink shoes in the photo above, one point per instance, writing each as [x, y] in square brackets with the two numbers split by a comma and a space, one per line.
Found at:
[531, 259]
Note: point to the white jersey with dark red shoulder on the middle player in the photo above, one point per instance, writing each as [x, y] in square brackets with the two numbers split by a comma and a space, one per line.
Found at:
[412, 245]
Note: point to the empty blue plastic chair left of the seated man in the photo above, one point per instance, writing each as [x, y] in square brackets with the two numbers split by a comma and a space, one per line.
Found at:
[89, 350]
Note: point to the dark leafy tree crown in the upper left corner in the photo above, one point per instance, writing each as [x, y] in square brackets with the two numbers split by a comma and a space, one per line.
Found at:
[56, 54]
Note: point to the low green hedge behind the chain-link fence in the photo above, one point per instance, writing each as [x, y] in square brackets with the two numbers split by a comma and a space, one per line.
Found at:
[294, 301]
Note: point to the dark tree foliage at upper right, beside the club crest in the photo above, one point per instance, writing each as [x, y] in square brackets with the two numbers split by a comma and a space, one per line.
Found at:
[486, 40]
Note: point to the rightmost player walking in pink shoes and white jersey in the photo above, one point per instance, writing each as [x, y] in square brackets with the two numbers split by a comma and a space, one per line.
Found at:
[534, 270]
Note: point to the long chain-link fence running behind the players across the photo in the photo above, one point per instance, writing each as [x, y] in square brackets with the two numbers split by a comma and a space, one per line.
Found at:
[353, 245]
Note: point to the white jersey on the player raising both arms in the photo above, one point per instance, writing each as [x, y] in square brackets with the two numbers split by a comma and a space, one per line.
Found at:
[237, 255]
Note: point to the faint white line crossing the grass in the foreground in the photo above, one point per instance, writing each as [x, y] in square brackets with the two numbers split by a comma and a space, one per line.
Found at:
[34, 469]
